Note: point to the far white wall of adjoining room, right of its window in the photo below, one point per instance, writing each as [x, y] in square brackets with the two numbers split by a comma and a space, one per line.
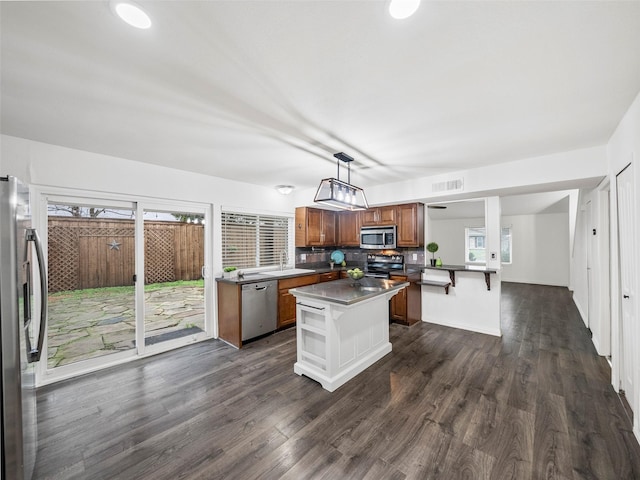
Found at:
[540, 249]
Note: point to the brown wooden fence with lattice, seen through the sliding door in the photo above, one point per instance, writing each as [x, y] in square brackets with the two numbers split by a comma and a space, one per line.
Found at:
[95, 252]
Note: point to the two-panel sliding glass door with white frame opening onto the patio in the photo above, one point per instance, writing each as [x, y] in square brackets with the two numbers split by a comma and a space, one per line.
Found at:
[126, 279]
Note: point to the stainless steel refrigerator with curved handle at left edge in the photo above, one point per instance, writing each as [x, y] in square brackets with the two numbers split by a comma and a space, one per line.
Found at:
[21, 345]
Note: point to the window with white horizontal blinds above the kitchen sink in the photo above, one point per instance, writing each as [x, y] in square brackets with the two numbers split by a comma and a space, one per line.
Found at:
[250, 240]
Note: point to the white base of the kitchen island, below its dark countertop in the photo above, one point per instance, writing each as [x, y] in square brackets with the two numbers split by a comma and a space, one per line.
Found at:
[336, 342]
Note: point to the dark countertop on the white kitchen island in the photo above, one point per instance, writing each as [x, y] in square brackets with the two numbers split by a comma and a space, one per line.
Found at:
[348, 292]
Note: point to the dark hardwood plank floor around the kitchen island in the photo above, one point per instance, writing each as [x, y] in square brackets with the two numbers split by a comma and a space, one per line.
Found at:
[446, 404]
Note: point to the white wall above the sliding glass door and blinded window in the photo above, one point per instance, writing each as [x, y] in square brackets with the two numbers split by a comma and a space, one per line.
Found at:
[51, 166]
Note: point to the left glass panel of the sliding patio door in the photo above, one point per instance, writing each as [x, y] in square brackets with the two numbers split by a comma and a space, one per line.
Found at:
[91, 259]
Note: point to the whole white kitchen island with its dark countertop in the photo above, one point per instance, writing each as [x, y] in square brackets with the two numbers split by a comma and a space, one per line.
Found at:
[342, 328]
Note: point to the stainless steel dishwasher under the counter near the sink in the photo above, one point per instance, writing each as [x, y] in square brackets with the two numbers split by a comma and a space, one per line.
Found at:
[259, 308]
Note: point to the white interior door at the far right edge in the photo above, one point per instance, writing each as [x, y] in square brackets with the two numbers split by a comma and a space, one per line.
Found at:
[627, 246]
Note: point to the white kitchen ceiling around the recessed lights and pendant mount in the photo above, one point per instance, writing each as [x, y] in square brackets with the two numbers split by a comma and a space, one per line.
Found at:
[266, 91]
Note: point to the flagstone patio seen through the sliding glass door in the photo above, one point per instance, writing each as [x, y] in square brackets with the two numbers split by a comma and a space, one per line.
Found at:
[82, 327]
